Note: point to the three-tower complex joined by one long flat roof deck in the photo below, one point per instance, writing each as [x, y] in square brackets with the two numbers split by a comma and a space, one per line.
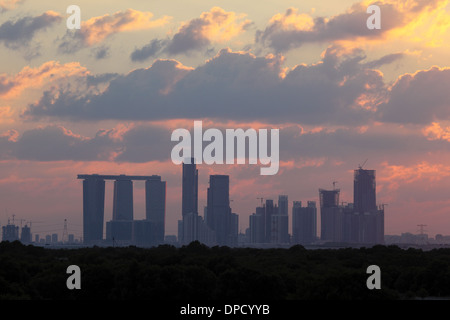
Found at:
[123, 228]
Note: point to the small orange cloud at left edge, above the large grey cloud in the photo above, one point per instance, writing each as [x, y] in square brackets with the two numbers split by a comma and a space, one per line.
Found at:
[13, 85]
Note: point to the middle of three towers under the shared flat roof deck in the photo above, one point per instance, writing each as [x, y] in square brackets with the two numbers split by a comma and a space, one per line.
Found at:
[123, 199]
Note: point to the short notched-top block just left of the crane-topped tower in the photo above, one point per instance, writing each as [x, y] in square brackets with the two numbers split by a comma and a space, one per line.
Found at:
[304, 223]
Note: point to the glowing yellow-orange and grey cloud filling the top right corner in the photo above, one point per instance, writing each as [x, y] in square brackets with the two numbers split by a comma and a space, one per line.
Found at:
[411, 20]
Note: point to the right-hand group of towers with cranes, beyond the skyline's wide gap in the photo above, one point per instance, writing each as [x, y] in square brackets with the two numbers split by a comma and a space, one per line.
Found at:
[361, 222]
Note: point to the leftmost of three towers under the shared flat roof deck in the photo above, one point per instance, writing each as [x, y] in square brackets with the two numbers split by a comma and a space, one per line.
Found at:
[93, 208]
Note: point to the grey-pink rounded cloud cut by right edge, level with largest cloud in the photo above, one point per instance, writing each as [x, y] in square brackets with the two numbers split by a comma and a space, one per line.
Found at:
[419, 98]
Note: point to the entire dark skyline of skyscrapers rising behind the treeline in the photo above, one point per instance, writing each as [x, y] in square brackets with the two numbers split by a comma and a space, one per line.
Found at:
[360, 222]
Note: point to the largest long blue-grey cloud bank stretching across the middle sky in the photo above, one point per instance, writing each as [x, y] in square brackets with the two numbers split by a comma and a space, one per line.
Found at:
[233, 86]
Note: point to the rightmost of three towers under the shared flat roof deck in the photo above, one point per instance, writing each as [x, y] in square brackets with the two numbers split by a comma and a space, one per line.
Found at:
[155, 207]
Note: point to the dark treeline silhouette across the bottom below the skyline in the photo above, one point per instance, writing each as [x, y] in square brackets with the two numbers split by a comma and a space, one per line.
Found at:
[196, 272]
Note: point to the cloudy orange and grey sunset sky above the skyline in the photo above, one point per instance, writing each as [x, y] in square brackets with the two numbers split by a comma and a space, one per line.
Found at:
[105, 99]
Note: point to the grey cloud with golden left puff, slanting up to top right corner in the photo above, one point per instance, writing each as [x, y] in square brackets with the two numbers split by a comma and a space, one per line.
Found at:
[293, 29]
